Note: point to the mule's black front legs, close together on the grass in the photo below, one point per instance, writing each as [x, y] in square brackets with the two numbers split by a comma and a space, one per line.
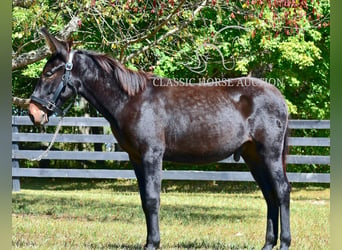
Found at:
[149, 178]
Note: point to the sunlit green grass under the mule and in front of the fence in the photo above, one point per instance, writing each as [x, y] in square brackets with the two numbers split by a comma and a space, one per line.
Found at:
[65, 214]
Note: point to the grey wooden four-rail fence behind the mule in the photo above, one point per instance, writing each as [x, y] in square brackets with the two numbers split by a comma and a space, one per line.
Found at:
[19, 137]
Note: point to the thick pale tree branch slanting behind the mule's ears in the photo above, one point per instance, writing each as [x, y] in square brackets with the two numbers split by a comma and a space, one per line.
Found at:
[33, 56]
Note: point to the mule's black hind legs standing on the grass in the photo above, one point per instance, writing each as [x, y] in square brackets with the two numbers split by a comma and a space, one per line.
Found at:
[268, 172]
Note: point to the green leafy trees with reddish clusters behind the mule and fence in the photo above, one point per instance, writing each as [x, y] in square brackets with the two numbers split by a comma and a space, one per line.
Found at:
[284, 42]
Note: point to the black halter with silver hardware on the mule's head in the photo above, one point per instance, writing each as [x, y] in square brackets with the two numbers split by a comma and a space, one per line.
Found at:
[66, 81]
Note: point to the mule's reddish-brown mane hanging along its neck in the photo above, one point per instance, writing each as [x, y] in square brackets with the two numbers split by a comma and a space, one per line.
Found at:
[132, 82]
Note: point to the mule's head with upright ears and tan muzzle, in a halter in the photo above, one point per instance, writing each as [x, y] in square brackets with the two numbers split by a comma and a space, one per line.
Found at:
[55, 85]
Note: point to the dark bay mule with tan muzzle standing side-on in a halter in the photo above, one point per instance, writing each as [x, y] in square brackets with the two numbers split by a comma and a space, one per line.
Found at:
[156, 119]
